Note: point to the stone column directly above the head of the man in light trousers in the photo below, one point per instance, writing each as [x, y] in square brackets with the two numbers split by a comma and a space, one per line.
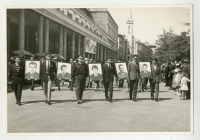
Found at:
[46, 35]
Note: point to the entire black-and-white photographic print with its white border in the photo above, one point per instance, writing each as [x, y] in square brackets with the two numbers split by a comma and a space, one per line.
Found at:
[91, 69]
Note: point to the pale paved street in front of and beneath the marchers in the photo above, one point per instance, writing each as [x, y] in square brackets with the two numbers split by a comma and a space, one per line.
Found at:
[95, 114]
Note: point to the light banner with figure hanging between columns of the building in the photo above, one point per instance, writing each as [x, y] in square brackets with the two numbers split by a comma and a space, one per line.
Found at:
[90, 45]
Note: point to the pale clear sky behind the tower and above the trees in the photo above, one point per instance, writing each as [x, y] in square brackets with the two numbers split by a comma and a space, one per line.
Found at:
[150, 22]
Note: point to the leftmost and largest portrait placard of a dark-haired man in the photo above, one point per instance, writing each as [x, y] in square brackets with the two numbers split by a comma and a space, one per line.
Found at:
[32, 69]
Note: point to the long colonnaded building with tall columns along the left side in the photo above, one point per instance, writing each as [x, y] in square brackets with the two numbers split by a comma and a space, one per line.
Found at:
[66, 31]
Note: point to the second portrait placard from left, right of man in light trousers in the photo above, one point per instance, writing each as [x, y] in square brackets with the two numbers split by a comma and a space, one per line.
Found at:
[64, 71]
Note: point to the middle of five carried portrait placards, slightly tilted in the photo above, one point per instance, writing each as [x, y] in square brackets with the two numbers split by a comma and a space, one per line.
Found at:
[95, 72]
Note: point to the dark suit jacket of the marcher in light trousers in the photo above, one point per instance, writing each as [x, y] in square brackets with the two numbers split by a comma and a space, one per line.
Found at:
[52, 71]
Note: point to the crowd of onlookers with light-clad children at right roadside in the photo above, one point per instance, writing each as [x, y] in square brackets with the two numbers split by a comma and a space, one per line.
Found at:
[176, 75]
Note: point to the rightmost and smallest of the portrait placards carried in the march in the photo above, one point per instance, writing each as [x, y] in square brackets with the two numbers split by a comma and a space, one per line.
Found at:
[145, 69]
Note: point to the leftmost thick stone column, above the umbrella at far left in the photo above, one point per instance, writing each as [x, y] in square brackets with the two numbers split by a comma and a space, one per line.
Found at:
[21, 31]
